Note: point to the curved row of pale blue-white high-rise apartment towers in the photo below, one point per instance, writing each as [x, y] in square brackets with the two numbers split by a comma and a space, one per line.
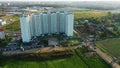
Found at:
[46, 23]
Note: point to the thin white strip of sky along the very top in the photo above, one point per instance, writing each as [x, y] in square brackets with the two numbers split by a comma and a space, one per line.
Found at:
[59, 0]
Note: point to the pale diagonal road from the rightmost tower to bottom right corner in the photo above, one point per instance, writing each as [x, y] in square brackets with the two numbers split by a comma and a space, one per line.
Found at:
[103, 55]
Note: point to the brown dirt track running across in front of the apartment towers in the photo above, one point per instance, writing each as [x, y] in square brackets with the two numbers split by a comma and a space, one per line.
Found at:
[35, 50]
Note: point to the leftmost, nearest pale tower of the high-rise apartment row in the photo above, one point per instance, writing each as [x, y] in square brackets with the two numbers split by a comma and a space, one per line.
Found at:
[25, 28]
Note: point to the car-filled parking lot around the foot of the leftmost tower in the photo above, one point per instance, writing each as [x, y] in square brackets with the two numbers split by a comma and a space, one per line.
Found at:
[14, 45]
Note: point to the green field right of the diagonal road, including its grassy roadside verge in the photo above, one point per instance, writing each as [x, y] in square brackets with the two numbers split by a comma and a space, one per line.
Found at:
[110, 47]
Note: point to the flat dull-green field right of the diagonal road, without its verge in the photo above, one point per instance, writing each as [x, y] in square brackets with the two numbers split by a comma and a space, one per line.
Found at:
[112, 45]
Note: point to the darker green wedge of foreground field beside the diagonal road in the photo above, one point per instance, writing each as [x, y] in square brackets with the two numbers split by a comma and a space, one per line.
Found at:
[90, 61]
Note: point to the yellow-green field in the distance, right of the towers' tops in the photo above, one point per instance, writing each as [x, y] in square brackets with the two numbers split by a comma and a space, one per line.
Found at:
[88, 14]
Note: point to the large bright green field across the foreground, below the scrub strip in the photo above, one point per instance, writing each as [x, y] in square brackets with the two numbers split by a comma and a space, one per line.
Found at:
[79, 60]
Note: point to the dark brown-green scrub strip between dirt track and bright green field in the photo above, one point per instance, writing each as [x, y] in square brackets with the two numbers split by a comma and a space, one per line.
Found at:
[45, 56]
